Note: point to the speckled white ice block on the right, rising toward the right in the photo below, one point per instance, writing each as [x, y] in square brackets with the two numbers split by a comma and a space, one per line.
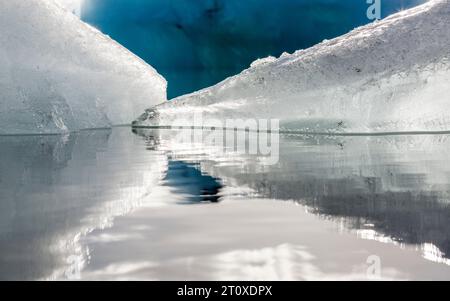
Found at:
[391, 75]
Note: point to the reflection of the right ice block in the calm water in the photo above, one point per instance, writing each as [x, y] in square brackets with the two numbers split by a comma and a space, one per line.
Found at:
[390, 189]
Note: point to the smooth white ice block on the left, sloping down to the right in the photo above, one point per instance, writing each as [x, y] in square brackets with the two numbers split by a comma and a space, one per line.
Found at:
[59, 74]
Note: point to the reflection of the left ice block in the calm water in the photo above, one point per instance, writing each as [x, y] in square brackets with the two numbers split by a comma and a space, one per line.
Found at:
[56, 189]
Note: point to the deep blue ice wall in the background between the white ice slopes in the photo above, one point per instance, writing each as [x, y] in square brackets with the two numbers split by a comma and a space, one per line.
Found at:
[196, 43]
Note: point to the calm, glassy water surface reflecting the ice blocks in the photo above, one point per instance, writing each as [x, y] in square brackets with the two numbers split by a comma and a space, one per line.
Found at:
[117, 204]
